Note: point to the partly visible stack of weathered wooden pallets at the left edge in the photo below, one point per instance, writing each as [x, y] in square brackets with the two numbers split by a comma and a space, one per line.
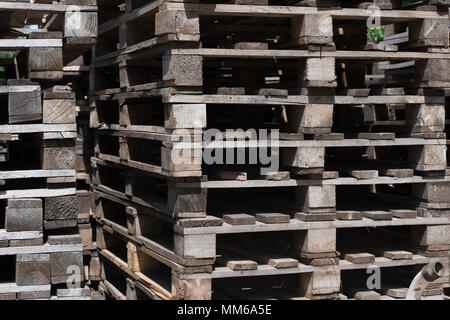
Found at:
[41, 253]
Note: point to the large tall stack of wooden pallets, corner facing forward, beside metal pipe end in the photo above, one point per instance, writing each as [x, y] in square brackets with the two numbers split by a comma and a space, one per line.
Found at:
[362, 179]
